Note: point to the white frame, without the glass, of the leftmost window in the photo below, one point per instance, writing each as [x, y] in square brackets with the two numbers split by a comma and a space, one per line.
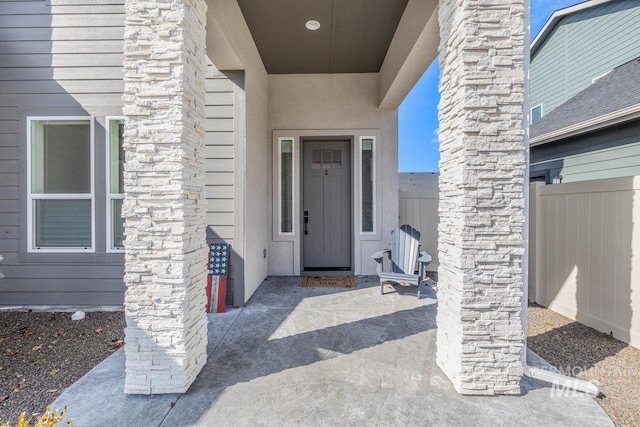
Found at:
[32, 197]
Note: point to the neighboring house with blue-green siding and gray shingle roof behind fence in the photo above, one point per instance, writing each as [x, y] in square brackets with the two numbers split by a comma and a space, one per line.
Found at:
[584, 93]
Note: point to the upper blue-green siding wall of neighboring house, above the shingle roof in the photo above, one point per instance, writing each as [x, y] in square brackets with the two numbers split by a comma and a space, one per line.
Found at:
[582, 46]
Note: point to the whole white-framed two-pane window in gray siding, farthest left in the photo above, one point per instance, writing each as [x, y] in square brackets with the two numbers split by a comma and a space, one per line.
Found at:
[60, 184]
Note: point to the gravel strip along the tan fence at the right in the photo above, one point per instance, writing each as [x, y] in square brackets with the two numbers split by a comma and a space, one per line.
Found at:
[587, 354]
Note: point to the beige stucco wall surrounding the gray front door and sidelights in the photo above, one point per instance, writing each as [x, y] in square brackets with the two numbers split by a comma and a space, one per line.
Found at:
[344, 105]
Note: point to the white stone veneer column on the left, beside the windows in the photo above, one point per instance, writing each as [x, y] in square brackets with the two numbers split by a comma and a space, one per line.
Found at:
[164, 206]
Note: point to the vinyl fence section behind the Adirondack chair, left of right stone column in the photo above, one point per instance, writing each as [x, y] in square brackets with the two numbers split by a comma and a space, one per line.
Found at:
[420, 210]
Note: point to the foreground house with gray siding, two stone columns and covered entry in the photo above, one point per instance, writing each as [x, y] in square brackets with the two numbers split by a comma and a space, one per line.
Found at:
[286, 149]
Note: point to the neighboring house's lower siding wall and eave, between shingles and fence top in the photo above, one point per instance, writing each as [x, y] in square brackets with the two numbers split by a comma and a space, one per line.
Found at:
[608, 153]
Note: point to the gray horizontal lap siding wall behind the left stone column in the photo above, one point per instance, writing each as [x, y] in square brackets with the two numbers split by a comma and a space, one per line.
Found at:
[53, 65]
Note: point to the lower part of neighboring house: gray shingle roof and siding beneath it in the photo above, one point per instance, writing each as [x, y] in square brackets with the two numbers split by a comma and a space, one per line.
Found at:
[594, 135]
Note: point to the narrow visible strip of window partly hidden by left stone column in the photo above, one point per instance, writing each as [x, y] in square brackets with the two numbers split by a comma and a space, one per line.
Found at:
[115, 185]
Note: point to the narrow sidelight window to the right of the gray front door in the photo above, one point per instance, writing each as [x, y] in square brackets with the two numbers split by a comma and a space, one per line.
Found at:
[367, 184]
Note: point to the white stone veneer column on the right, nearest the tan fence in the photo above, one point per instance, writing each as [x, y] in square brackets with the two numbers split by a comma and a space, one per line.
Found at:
[480, 335]
